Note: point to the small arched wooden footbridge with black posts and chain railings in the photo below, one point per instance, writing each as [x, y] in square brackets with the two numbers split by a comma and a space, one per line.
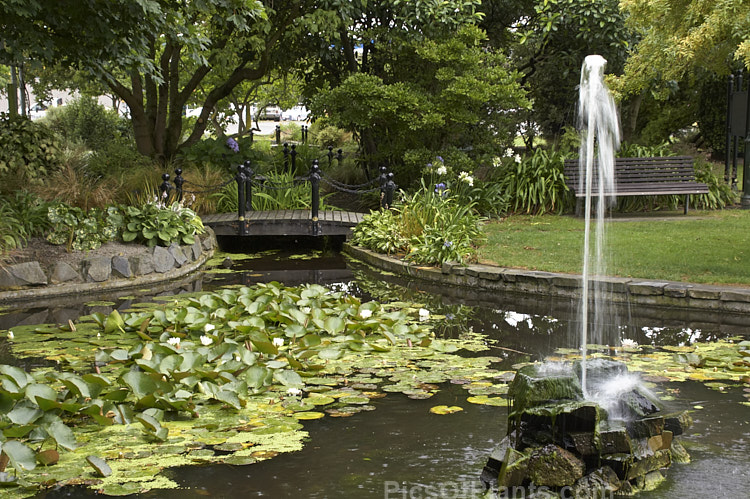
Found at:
[305, 222]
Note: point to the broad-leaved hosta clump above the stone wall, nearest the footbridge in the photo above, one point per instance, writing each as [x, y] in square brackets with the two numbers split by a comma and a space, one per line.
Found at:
[155, 224]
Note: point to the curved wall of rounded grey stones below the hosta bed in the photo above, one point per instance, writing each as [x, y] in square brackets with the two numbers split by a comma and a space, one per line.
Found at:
[92, 273]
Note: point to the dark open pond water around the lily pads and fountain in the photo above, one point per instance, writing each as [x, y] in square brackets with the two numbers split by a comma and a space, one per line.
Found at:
[401, 449]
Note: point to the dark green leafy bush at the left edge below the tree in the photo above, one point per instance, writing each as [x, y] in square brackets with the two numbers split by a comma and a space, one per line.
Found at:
[28, 151]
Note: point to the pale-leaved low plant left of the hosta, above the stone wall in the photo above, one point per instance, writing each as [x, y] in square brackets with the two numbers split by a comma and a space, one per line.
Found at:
[82, 231]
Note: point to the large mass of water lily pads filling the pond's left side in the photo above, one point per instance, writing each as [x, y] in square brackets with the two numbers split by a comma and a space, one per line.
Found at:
[226, 376]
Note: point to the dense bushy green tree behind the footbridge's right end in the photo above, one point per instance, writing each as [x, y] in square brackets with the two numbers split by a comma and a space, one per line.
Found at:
[407, 75]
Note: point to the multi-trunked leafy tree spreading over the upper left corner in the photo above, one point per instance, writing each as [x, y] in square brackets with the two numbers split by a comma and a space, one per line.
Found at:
[153, 54]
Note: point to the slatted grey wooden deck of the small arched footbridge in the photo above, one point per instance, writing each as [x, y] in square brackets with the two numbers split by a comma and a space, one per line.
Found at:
[285, 223]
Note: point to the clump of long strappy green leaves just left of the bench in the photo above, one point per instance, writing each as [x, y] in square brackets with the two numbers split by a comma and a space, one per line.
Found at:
[535, 184]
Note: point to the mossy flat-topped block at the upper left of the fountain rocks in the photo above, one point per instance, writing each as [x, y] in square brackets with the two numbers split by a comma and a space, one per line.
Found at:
[539, 384]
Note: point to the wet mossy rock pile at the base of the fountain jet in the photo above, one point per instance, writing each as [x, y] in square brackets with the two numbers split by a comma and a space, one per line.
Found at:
[614, 442]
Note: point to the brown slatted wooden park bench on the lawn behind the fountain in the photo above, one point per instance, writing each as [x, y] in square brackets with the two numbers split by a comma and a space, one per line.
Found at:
[660, 176]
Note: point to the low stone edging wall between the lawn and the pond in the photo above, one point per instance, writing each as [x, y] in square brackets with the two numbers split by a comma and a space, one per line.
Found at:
[668, 294]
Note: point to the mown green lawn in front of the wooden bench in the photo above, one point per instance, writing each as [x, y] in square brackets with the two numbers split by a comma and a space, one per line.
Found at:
[702, 247]
